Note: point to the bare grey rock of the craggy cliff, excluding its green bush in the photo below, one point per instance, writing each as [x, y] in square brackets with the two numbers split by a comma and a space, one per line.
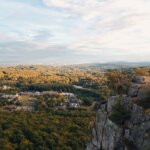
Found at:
[133, 134]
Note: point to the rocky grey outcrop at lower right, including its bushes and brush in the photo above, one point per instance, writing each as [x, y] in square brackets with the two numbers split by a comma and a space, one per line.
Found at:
[123, 122]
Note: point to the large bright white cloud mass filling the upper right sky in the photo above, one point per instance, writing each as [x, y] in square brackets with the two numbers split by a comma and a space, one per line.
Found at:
[114, 24]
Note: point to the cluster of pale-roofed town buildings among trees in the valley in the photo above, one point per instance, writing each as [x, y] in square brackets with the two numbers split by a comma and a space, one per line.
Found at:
[70, 100]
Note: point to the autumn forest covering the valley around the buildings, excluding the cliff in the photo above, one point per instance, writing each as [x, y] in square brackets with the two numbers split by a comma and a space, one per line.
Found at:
[47, 128]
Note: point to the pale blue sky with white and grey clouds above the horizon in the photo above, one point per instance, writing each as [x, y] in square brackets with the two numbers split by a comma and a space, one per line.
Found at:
[74, 31]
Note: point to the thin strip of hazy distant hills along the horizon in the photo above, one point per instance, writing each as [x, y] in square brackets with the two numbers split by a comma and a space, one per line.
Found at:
[95, 66]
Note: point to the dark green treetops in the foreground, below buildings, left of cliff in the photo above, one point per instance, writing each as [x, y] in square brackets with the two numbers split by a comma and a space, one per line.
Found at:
[55, 130]
